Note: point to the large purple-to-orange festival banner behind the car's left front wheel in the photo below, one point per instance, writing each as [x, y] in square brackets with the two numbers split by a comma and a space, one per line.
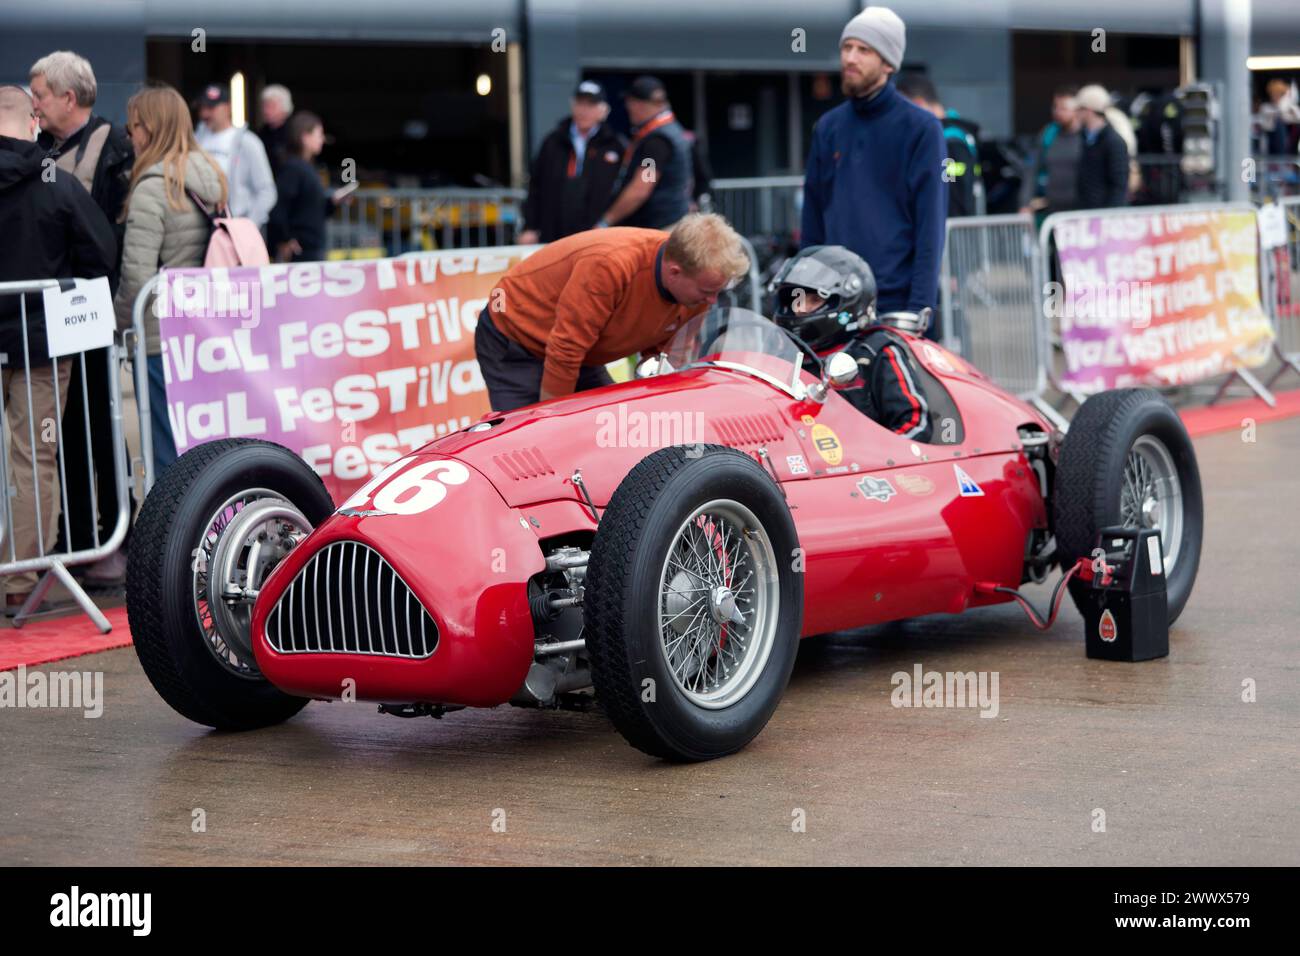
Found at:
[350, 365]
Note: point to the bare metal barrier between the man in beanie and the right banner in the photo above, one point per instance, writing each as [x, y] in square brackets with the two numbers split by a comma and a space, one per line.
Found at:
[990, 301]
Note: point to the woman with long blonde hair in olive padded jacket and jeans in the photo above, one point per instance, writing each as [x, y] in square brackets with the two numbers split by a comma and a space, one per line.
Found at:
[166, 226]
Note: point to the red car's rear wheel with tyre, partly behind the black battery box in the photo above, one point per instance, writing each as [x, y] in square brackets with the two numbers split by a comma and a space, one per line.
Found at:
[1128, 461]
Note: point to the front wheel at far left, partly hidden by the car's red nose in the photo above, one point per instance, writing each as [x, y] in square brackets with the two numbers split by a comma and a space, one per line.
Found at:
[190, 648]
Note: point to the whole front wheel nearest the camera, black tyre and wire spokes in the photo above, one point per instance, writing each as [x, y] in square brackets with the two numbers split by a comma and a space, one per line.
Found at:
[694, 604]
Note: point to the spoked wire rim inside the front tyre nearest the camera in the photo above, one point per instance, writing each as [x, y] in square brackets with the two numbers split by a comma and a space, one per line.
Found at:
[720, 598]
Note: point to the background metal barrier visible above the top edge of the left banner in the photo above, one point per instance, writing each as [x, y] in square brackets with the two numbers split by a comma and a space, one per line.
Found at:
[384, 223]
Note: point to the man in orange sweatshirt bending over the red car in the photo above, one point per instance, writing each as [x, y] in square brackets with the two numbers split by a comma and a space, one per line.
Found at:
[557, 318]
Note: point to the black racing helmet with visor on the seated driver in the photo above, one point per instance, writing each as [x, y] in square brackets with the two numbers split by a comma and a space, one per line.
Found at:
[846, 287]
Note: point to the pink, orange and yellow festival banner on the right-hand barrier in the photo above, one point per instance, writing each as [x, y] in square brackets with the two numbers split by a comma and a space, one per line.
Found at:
[1159, 299]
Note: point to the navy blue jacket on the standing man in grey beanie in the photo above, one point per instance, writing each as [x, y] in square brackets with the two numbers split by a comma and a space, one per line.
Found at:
[876, 184]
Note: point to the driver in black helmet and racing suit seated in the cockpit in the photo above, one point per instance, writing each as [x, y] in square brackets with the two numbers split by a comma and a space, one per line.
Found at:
[827, 297]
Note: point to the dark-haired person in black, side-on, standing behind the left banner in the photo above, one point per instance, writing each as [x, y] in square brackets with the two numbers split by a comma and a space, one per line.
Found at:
[297, 227]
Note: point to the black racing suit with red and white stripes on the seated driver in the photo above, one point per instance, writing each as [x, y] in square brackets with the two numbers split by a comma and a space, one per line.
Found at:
[889, 390]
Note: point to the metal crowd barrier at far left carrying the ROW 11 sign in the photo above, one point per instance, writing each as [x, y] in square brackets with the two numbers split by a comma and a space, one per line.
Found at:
[54, 565]
